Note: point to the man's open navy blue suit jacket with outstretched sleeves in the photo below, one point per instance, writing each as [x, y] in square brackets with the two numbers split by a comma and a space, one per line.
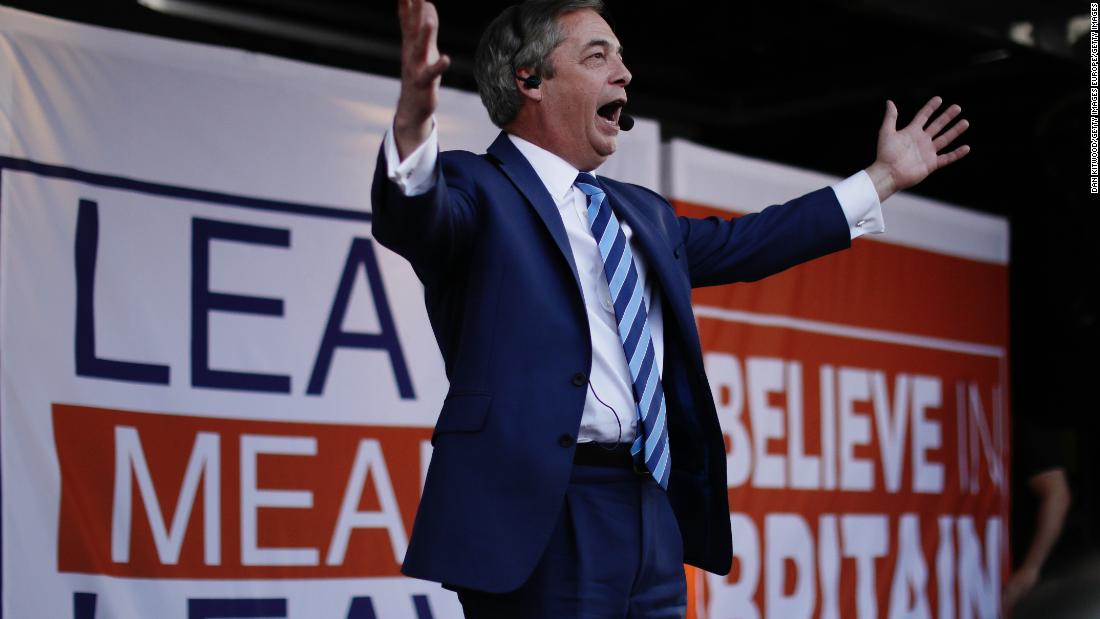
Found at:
[505, 304]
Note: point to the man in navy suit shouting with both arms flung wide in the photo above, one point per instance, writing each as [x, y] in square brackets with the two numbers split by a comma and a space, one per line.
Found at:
[551, 492]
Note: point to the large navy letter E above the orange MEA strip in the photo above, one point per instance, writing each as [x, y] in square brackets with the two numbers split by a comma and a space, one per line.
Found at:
[204, 302]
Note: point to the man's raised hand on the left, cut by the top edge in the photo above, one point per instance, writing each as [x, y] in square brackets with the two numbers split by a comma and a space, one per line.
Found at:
[422, 68]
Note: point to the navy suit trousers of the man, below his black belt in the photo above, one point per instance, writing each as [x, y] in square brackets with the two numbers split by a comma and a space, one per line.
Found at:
[615, 554]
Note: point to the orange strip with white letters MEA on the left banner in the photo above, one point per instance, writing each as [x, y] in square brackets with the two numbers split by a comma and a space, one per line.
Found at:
[164, 496]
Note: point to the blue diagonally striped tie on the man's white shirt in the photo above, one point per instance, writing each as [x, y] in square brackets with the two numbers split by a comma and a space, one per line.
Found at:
[634, 331]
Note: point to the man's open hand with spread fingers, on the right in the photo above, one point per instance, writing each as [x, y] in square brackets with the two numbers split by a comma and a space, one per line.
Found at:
[909, 156]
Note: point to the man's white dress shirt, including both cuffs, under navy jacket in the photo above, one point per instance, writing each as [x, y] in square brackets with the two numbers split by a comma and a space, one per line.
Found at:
[610, 413]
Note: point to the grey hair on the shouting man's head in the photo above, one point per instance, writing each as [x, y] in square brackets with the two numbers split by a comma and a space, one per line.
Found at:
[524, 36]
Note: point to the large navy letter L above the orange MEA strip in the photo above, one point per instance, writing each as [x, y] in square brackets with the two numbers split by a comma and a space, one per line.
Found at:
[87, 364]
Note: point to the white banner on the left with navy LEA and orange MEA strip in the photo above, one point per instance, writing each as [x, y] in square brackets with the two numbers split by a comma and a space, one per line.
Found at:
[217, 390]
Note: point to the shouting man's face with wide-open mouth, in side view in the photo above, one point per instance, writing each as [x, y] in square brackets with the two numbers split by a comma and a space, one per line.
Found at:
[580, 107]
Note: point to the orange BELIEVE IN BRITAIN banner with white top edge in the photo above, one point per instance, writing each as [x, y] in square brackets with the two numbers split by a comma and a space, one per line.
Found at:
[865, 406]
